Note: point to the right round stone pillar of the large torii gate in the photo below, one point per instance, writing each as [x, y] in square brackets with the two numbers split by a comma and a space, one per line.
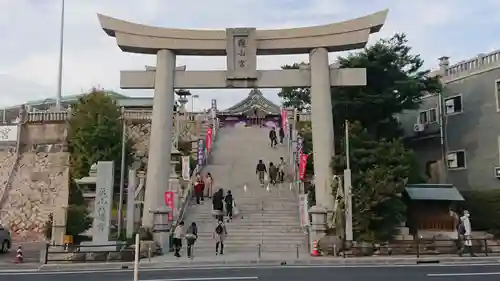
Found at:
[322, 126]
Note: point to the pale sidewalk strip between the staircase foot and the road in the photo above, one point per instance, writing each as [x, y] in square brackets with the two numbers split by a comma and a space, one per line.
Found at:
[235, 261]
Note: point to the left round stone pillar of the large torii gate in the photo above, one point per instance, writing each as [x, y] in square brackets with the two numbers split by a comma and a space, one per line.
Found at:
[159, 167]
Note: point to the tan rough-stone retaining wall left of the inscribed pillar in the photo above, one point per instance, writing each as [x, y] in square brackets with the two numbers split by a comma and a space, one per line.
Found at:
[39, 187]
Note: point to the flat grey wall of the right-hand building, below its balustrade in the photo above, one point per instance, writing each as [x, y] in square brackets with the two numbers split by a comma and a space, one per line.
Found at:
[476, 130]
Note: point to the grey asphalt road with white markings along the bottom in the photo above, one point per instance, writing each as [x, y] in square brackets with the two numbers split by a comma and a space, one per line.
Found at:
[278, 273]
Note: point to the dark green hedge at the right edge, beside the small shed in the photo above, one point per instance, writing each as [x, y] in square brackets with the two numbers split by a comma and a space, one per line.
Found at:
[484, 207]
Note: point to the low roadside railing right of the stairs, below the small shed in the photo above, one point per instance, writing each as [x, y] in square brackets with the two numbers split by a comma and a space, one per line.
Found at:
[416, 247]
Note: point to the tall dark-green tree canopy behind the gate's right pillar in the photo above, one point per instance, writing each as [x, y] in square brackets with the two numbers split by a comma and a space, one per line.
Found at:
[395, 82]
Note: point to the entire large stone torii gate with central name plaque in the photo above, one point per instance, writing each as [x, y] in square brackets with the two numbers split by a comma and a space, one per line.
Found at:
[241, 46]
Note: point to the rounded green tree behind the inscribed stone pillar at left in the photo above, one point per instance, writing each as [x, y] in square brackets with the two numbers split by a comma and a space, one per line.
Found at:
[94, 134]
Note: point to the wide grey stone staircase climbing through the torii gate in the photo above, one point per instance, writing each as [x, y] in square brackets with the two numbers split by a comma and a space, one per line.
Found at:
[268, 220]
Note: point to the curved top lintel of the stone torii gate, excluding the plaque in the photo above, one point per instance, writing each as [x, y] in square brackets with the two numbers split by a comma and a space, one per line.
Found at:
[342, 36]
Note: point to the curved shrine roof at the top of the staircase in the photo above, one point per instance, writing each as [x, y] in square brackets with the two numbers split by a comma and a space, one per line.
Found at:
[254, 100]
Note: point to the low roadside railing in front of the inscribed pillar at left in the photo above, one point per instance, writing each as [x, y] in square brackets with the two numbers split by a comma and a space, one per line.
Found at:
[87, 253]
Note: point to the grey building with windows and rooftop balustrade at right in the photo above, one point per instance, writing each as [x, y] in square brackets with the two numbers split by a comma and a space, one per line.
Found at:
[468, 138]
